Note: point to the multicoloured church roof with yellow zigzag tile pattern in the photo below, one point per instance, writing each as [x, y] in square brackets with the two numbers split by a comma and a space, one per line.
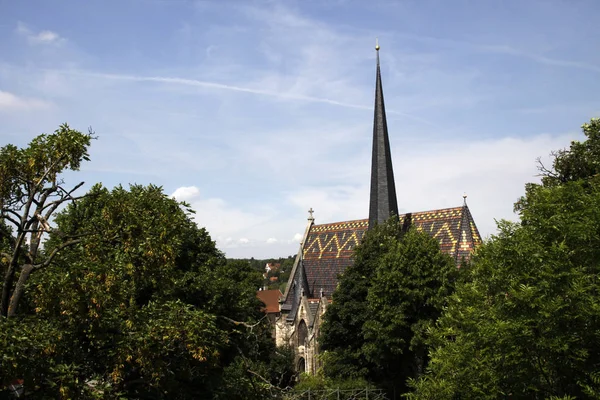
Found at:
[328, 249]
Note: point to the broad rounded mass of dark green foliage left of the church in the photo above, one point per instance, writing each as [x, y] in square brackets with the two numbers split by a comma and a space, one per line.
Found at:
[143, 306]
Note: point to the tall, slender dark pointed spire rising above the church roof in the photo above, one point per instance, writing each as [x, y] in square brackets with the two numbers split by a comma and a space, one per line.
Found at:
[383, 201]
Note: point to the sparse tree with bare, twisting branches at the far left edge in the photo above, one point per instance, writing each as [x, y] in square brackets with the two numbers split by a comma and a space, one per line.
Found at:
[31, 190]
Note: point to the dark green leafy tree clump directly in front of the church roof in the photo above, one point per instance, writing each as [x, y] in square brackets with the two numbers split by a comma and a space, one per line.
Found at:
[383, 307]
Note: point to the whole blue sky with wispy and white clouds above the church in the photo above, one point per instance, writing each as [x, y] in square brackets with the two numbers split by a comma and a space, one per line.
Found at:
[255, 111]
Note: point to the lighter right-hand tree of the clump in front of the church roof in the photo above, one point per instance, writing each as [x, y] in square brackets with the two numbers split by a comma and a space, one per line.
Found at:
[406, 297]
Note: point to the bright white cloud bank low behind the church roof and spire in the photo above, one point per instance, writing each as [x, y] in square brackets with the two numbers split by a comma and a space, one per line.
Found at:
[491, 172]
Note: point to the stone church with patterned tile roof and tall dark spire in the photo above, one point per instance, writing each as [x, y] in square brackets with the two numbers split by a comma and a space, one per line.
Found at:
[326, 250]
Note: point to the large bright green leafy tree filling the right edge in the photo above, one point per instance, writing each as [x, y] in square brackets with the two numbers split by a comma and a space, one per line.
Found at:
[525, 321]
